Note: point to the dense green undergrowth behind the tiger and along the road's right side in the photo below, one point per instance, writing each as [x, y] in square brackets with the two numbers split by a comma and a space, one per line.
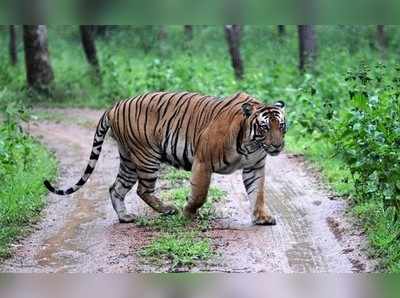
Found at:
[343, 116]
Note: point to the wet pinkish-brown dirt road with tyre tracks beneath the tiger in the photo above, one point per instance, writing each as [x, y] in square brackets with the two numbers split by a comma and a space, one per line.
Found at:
[80, 233]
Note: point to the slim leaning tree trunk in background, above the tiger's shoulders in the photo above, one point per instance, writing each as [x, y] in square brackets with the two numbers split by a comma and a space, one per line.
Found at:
[232, 34]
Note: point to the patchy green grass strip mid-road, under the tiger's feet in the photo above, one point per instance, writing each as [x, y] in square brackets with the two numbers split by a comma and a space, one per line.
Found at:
[180, 242]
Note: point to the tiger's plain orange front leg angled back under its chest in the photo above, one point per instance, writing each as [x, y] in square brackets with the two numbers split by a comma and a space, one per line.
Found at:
[200, 182]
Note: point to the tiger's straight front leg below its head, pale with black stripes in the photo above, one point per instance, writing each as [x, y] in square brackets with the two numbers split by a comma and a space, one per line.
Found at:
[254, 179]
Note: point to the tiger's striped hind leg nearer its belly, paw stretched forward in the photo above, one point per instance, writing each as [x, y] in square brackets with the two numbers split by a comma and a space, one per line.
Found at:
[146, 188]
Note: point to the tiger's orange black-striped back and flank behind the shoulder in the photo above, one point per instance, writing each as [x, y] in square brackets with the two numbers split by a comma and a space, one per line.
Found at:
[167, 126]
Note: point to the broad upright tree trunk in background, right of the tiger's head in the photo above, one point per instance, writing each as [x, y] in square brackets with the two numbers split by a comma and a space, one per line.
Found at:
[307, 46]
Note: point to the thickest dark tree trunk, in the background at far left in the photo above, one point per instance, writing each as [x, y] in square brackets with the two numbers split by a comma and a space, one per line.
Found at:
[38, 68]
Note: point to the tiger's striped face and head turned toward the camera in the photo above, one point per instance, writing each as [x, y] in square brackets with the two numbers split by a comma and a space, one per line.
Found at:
[267, 126]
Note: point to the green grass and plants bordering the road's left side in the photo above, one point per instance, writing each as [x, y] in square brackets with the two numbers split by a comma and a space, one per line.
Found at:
[24, 164]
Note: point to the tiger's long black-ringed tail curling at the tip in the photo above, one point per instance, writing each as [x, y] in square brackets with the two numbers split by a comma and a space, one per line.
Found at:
[101, 131]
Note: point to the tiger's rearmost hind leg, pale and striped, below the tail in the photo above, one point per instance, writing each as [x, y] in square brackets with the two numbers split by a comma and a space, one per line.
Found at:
[124, 182]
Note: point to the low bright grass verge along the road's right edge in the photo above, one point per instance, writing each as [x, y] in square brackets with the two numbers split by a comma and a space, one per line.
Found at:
[381, 225]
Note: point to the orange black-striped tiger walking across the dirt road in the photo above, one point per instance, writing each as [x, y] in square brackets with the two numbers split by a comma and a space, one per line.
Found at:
[198, 133]
